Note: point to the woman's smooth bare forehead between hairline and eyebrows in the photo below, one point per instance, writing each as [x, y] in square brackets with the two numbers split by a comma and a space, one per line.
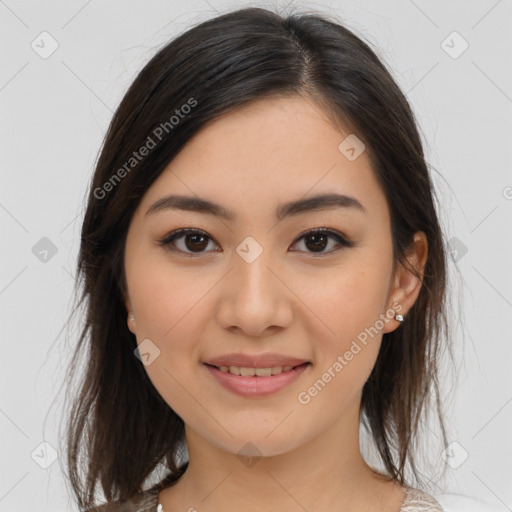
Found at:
[268, 152]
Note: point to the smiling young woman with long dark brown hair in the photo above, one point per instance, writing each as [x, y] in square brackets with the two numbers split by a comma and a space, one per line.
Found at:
[264, 273]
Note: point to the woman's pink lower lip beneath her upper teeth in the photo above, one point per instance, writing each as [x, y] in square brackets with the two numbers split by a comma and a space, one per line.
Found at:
[256, 386]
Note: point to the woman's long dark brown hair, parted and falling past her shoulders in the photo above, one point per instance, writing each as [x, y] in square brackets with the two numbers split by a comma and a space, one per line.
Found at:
[119, 428]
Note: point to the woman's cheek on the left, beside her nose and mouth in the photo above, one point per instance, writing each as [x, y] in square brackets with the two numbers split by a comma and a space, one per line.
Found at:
[167, 310]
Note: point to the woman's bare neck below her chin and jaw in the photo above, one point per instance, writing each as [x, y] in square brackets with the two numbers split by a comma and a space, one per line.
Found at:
[327, 473]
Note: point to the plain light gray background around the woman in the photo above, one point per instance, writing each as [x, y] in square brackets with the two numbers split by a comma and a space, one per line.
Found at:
[55, 111]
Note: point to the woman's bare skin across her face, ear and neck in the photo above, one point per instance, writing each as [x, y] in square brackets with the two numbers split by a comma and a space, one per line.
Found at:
[289, 300]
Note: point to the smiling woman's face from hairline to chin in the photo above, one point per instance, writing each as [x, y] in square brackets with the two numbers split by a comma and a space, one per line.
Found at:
[252, 284]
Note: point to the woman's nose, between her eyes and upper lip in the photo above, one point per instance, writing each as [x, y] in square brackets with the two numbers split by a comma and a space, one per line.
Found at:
[254, 297]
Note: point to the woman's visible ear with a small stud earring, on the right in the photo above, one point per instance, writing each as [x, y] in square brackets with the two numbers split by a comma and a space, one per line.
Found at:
[406, 286]
